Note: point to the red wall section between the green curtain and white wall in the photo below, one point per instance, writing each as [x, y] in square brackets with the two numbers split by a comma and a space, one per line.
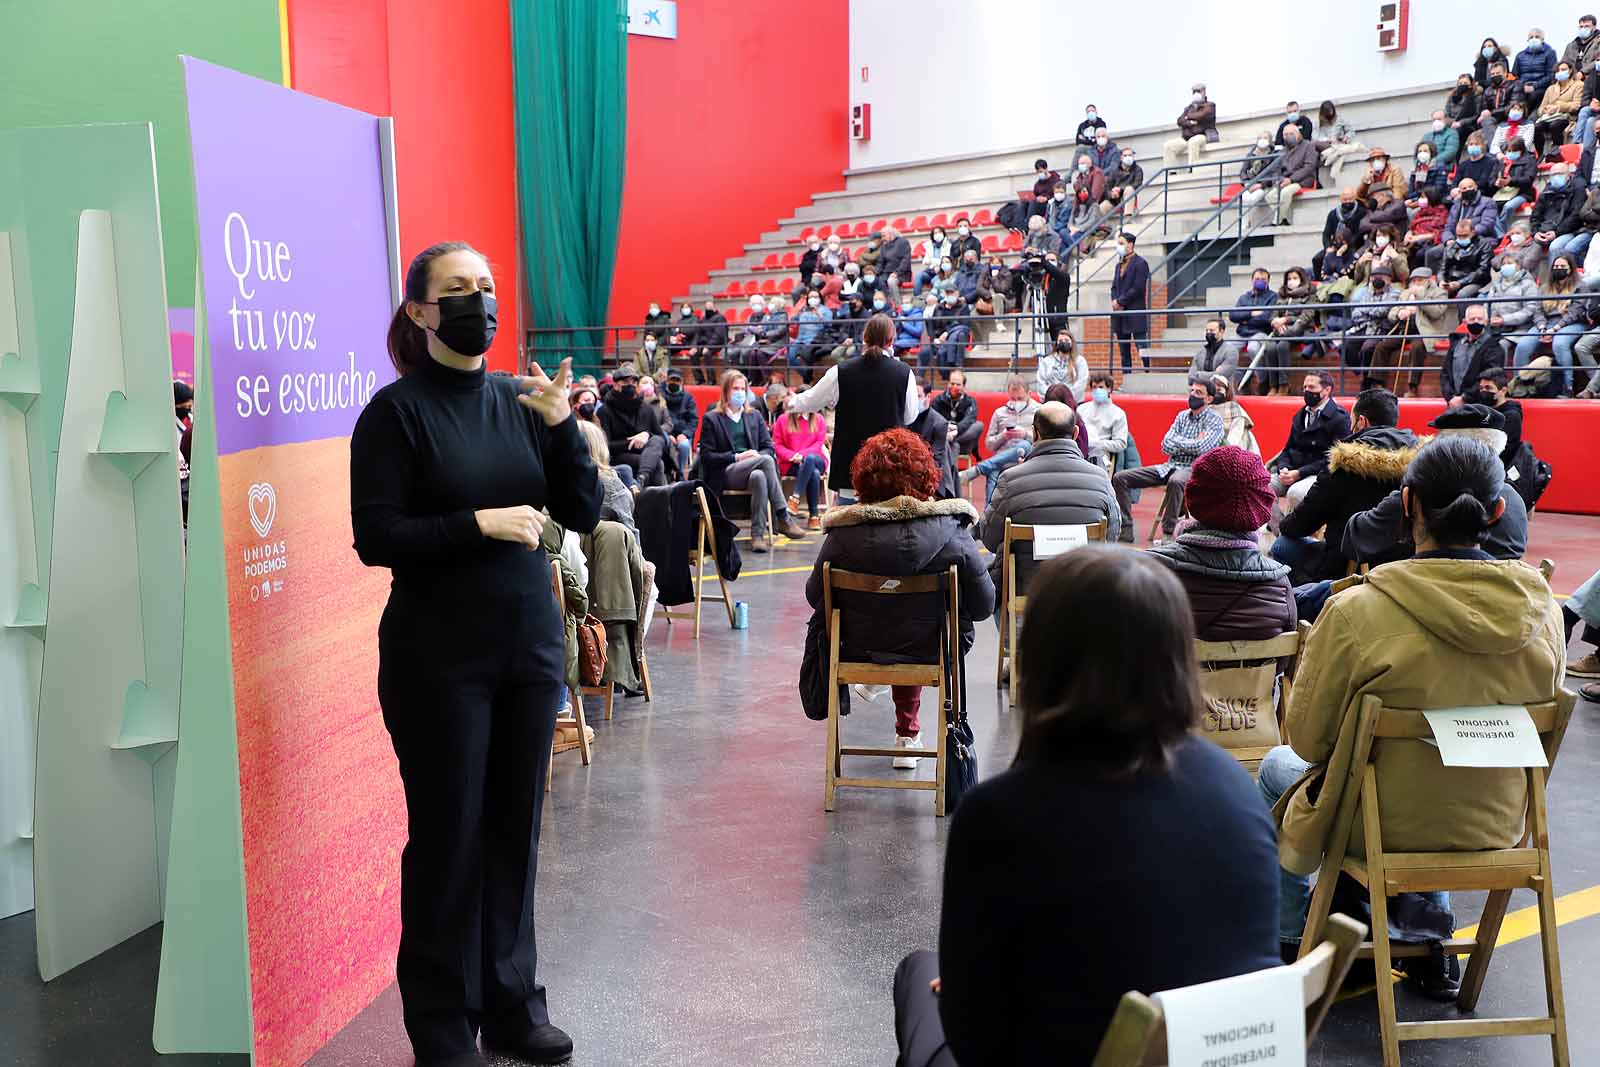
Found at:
[730, 129]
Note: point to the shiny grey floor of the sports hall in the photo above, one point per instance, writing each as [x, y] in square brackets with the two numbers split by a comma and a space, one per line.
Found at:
[697, 906]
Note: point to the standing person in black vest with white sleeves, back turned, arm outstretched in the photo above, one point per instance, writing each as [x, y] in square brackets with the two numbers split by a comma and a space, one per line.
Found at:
[873, 393]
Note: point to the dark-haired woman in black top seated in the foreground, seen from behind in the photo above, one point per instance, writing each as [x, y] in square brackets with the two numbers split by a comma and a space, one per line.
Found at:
[1087, 871]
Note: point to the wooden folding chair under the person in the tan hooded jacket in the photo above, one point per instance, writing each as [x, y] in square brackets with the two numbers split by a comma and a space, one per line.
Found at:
[1497, 871]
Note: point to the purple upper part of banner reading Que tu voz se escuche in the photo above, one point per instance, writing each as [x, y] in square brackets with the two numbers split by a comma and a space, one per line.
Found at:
[294, 257]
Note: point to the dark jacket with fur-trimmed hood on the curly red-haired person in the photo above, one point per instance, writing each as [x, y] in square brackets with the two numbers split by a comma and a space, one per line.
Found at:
[898, 538]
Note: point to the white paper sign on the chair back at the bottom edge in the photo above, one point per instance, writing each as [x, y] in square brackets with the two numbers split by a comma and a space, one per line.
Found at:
[1249, 1020]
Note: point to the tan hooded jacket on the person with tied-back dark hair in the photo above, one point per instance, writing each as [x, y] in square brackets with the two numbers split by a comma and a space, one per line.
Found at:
[1418, 634]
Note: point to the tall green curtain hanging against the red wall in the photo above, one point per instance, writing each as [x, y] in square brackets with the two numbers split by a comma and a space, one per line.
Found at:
[570, 81]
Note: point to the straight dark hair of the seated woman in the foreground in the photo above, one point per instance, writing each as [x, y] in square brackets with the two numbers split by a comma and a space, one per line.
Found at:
[1110, 649]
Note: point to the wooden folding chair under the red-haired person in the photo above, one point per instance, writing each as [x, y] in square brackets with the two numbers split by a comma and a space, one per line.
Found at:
[942, 673]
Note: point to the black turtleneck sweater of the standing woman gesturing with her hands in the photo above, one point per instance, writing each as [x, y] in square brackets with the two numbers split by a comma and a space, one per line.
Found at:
[438, 446]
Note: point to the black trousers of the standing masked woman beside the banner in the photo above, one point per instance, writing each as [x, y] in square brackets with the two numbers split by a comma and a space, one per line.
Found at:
[471, 714]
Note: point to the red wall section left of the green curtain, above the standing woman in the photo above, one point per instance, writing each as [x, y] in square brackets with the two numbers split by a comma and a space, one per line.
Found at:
[447, 82]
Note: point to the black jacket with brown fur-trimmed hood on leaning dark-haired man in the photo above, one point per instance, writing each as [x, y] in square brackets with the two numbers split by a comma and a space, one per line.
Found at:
[1361, 473]
